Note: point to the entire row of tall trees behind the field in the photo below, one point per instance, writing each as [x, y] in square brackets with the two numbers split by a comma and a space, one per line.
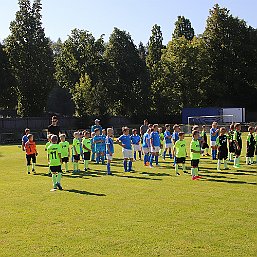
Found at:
[85, 76]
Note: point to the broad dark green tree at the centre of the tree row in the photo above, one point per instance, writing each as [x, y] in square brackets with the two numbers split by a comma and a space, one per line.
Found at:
[130, 88]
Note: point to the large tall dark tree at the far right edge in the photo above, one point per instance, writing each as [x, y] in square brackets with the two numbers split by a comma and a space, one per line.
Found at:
[229, 54]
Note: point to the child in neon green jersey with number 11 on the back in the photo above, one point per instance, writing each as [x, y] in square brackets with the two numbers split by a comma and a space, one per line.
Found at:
[54, 159]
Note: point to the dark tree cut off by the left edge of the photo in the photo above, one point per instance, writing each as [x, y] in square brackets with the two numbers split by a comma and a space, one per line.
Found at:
[8, 93]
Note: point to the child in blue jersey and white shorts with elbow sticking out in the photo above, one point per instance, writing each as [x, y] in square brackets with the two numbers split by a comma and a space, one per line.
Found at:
[125, 142]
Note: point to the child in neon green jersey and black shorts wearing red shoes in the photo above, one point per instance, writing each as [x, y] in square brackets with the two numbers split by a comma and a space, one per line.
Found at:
[195, 154]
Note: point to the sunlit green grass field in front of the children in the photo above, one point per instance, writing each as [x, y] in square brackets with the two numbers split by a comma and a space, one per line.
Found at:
[150, 212]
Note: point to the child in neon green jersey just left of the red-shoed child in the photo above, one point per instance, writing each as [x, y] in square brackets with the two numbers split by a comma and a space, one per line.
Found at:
[180, 152]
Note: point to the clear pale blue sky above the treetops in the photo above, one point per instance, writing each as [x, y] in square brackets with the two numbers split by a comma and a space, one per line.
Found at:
[137, 17]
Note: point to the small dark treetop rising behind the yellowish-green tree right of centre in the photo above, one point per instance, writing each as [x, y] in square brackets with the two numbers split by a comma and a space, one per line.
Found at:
[184, 28]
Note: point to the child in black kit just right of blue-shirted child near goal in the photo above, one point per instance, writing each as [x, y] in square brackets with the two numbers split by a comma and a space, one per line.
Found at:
[222, 146]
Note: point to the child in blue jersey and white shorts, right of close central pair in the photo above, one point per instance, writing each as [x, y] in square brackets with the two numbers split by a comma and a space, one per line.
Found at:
[155, 143]
